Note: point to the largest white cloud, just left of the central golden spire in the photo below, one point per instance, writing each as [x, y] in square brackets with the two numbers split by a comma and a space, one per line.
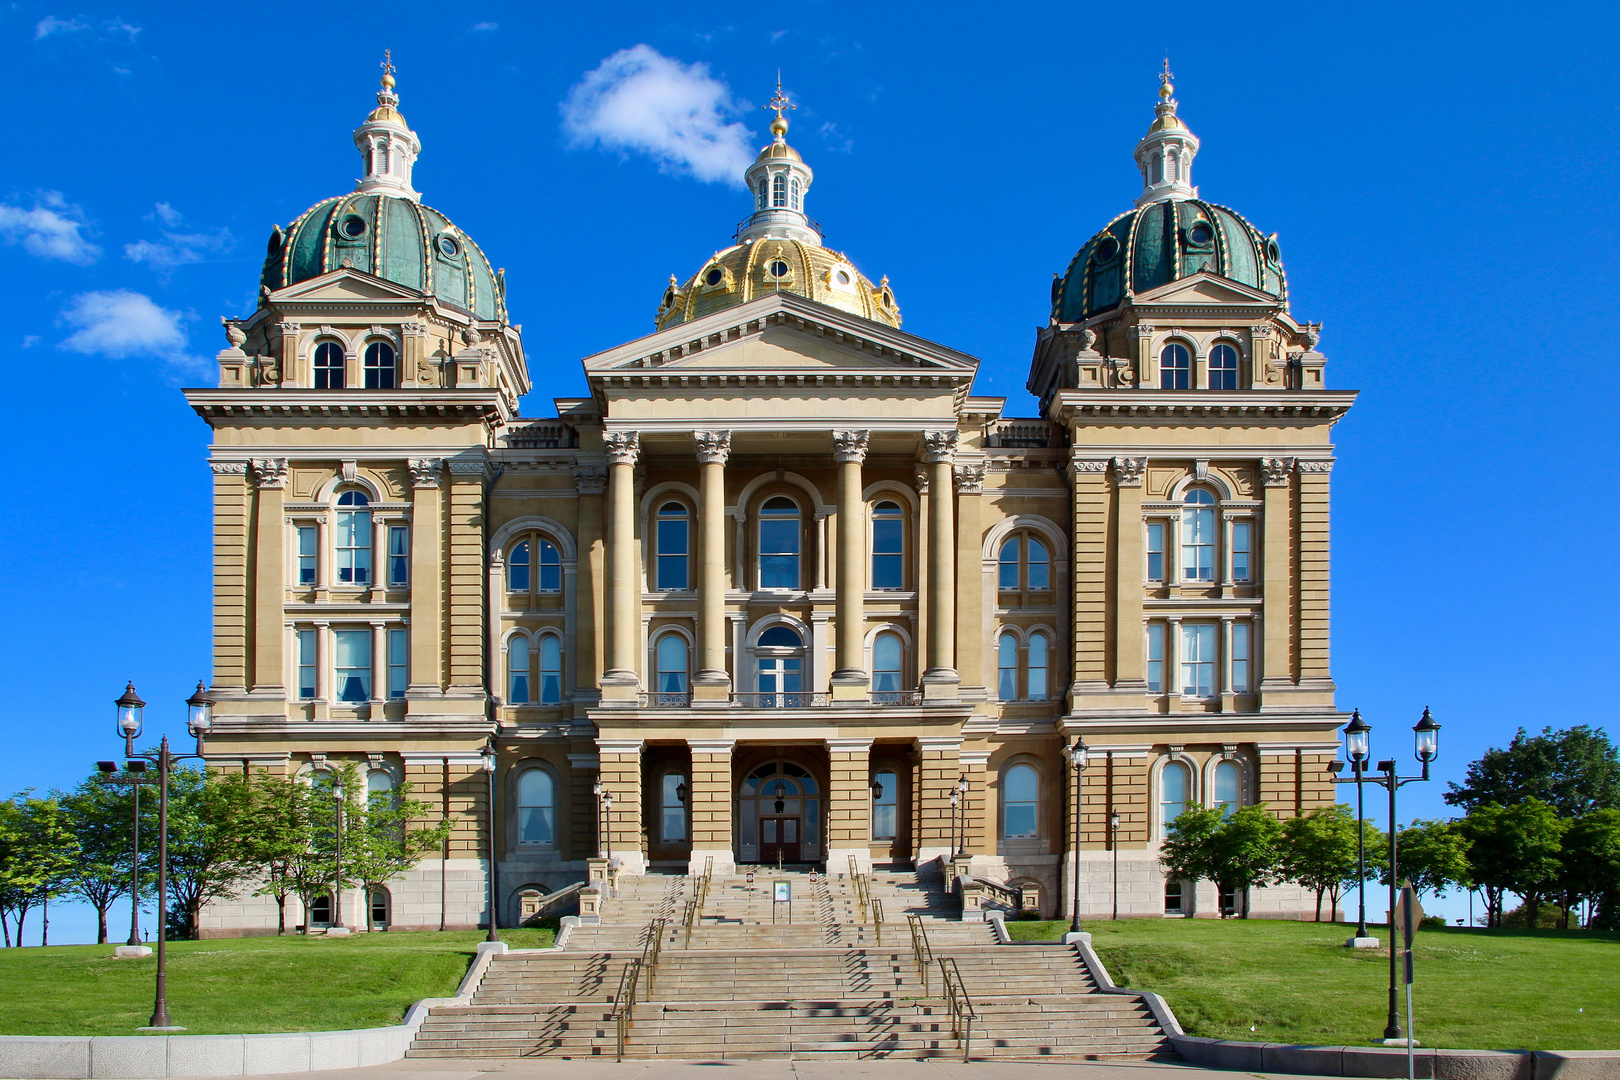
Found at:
[641, 101]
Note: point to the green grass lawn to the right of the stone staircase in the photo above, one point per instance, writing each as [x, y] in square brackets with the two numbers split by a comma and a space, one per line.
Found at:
[1276, 982]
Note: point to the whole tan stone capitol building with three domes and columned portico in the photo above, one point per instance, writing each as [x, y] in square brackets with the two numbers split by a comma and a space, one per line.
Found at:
[783, 589]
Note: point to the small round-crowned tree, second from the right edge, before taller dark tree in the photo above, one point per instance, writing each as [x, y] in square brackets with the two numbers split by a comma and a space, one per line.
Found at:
[1514, 849]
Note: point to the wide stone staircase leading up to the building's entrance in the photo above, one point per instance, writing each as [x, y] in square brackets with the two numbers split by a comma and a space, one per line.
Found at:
[740, 987]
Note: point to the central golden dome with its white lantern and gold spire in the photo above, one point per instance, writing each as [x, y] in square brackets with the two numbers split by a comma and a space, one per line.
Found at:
[778, 249]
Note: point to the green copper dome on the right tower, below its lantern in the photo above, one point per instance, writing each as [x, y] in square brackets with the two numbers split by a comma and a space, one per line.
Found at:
[1161, 244]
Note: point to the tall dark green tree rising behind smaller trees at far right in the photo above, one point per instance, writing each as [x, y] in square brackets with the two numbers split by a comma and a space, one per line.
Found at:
[1575, 772]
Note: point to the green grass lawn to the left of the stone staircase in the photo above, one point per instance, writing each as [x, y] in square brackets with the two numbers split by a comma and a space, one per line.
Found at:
[241, 985]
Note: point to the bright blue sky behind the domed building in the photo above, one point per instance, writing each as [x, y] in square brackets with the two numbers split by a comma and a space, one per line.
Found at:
[1439, 176]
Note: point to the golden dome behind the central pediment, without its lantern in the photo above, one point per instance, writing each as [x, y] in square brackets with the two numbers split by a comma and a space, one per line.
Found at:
[746, 273]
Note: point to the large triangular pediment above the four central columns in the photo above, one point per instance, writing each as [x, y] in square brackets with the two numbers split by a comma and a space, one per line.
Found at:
[783, 334]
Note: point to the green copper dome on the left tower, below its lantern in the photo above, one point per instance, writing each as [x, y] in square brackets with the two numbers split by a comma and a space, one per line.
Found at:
[394, 239]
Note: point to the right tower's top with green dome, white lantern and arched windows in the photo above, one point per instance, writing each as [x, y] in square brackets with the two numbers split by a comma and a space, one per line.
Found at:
[1175, 260]
